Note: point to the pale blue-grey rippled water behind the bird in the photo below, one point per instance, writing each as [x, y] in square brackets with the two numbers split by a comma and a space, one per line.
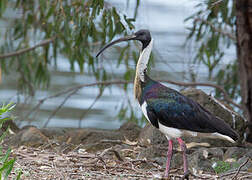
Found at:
[165, 20]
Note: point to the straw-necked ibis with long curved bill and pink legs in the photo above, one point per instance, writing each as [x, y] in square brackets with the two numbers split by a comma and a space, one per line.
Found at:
[174, 114]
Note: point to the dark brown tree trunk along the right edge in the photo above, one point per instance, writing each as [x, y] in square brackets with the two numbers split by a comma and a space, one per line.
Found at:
[244, 54]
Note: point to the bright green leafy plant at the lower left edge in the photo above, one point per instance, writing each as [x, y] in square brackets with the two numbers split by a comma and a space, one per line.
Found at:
[6, 163]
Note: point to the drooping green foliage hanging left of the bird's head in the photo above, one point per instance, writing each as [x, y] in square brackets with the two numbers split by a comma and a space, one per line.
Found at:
[74, 29]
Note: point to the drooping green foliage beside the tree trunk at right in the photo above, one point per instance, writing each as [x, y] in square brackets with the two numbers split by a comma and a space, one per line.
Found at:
[213, 31]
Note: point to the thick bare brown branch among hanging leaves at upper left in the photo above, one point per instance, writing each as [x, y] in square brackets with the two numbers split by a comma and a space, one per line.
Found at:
[22, 51]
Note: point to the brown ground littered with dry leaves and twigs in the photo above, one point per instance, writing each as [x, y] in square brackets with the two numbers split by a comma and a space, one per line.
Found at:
[117, 162]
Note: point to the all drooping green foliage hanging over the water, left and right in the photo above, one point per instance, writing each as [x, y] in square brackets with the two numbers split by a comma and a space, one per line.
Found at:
[76, 29]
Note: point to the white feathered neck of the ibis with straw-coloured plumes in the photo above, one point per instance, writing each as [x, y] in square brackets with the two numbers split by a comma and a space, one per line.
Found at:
[141, 69]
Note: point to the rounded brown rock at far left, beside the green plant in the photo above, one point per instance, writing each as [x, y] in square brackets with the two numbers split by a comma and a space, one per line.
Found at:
[30, 136]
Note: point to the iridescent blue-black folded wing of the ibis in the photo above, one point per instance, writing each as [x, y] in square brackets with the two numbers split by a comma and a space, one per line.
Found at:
[183, 113]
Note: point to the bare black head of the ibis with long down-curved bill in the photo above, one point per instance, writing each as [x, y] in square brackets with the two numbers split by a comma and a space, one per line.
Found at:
[142, 35]
